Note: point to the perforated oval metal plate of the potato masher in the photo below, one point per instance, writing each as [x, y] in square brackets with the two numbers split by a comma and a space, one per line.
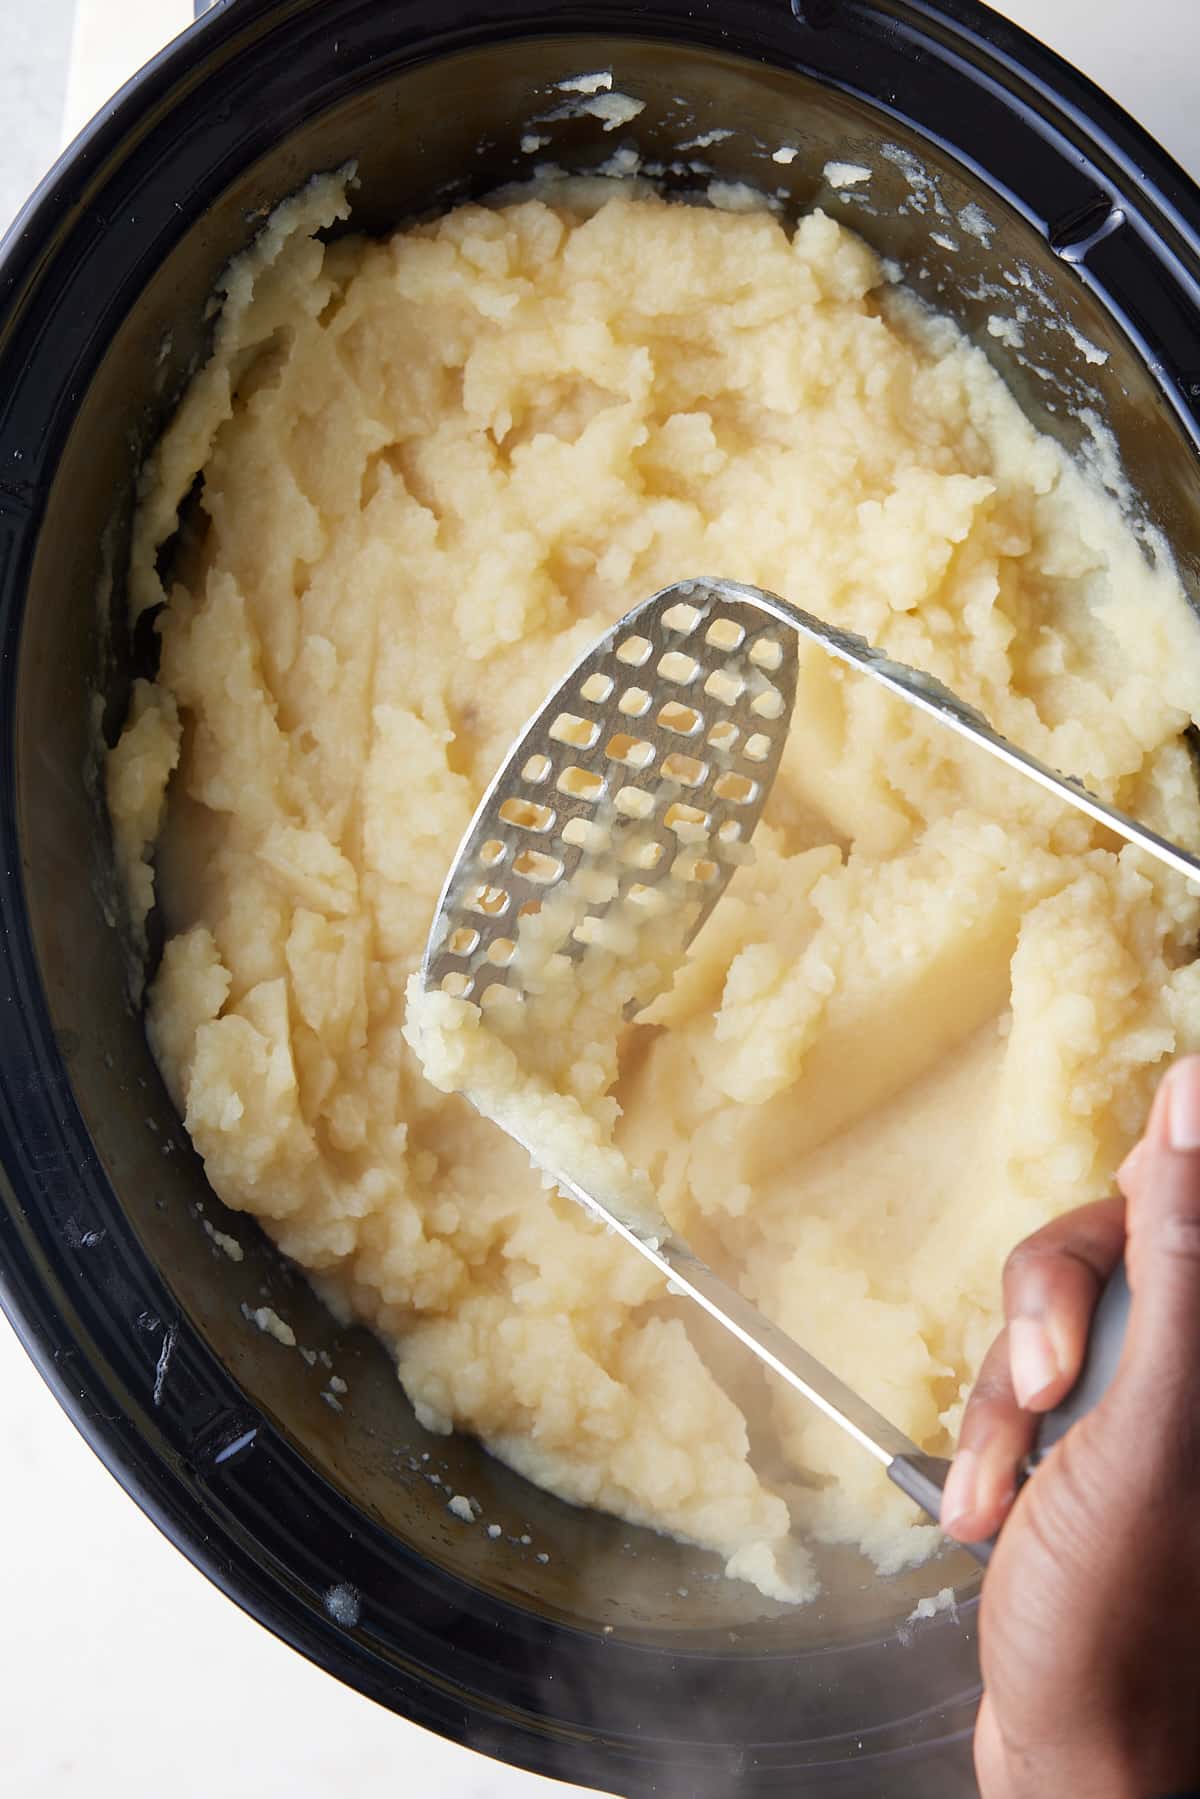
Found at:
[654, 760]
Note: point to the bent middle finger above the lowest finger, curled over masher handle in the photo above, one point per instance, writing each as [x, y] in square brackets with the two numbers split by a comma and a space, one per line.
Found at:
[1052, 1285]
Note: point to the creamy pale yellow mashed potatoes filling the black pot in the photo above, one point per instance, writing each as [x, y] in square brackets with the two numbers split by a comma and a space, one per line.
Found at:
[929, 1016]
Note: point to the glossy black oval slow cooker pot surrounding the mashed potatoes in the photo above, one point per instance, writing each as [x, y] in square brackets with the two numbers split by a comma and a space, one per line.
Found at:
[134, 1316]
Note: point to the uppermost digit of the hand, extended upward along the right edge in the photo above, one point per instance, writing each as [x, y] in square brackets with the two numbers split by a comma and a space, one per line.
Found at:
[1165, 1239]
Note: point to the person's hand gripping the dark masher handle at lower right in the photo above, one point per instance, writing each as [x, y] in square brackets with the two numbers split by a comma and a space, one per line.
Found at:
[1091, 1607]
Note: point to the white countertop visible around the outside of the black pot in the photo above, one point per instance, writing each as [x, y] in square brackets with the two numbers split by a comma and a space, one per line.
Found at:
[125, 1674]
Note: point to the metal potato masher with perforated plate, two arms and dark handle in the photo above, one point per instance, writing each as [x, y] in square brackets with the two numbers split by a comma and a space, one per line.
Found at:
[667, 740]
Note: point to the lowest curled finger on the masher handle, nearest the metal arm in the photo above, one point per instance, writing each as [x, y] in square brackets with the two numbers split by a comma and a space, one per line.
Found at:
[994, 1442]
